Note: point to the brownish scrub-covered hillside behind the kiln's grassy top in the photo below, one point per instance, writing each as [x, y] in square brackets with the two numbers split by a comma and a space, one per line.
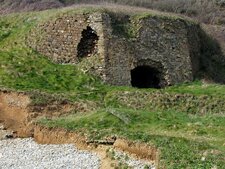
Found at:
[206, 11]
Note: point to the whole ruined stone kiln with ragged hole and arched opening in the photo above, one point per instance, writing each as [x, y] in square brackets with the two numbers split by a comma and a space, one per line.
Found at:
[142, 50]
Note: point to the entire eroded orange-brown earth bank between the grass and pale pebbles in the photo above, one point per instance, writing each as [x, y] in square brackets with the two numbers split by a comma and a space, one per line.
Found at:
[17, 114]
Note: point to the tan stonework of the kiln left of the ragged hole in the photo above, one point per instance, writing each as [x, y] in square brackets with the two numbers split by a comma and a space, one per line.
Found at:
[60, 38]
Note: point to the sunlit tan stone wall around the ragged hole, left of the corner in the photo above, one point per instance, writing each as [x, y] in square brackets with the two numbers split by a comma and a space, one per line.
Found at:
[58, 39]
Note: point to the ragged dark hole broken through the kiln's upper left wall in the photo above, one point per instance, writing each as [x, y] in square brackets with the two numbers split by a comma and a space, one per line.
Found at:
[87, 45]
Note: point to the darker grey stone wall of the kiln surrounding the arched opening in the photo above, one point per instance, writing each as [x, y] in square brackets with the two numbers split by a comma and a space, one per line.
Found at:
[161, 43]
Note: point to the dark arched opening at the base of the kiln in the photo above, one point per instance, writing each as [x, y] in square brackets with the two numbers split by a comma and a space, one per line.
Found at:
[145, 77]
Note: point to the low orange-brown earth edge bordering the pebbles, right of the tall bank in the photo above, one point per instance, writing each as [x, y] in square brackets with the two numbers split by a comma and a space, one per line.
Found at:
[44, 135]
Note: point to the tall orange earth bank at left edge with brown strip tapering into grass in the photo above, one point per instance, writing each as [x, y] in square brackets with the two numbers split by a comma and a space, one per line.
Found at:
[18, 114]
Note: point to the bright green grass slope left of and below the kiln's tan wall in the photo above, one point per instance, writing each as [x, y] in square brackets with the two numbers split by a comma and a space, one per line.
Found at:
[24, 69]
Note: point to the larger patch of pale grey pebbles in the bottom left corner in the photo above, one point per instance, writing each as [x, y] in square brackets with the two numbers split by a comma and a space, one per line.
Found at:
[26, 154]
